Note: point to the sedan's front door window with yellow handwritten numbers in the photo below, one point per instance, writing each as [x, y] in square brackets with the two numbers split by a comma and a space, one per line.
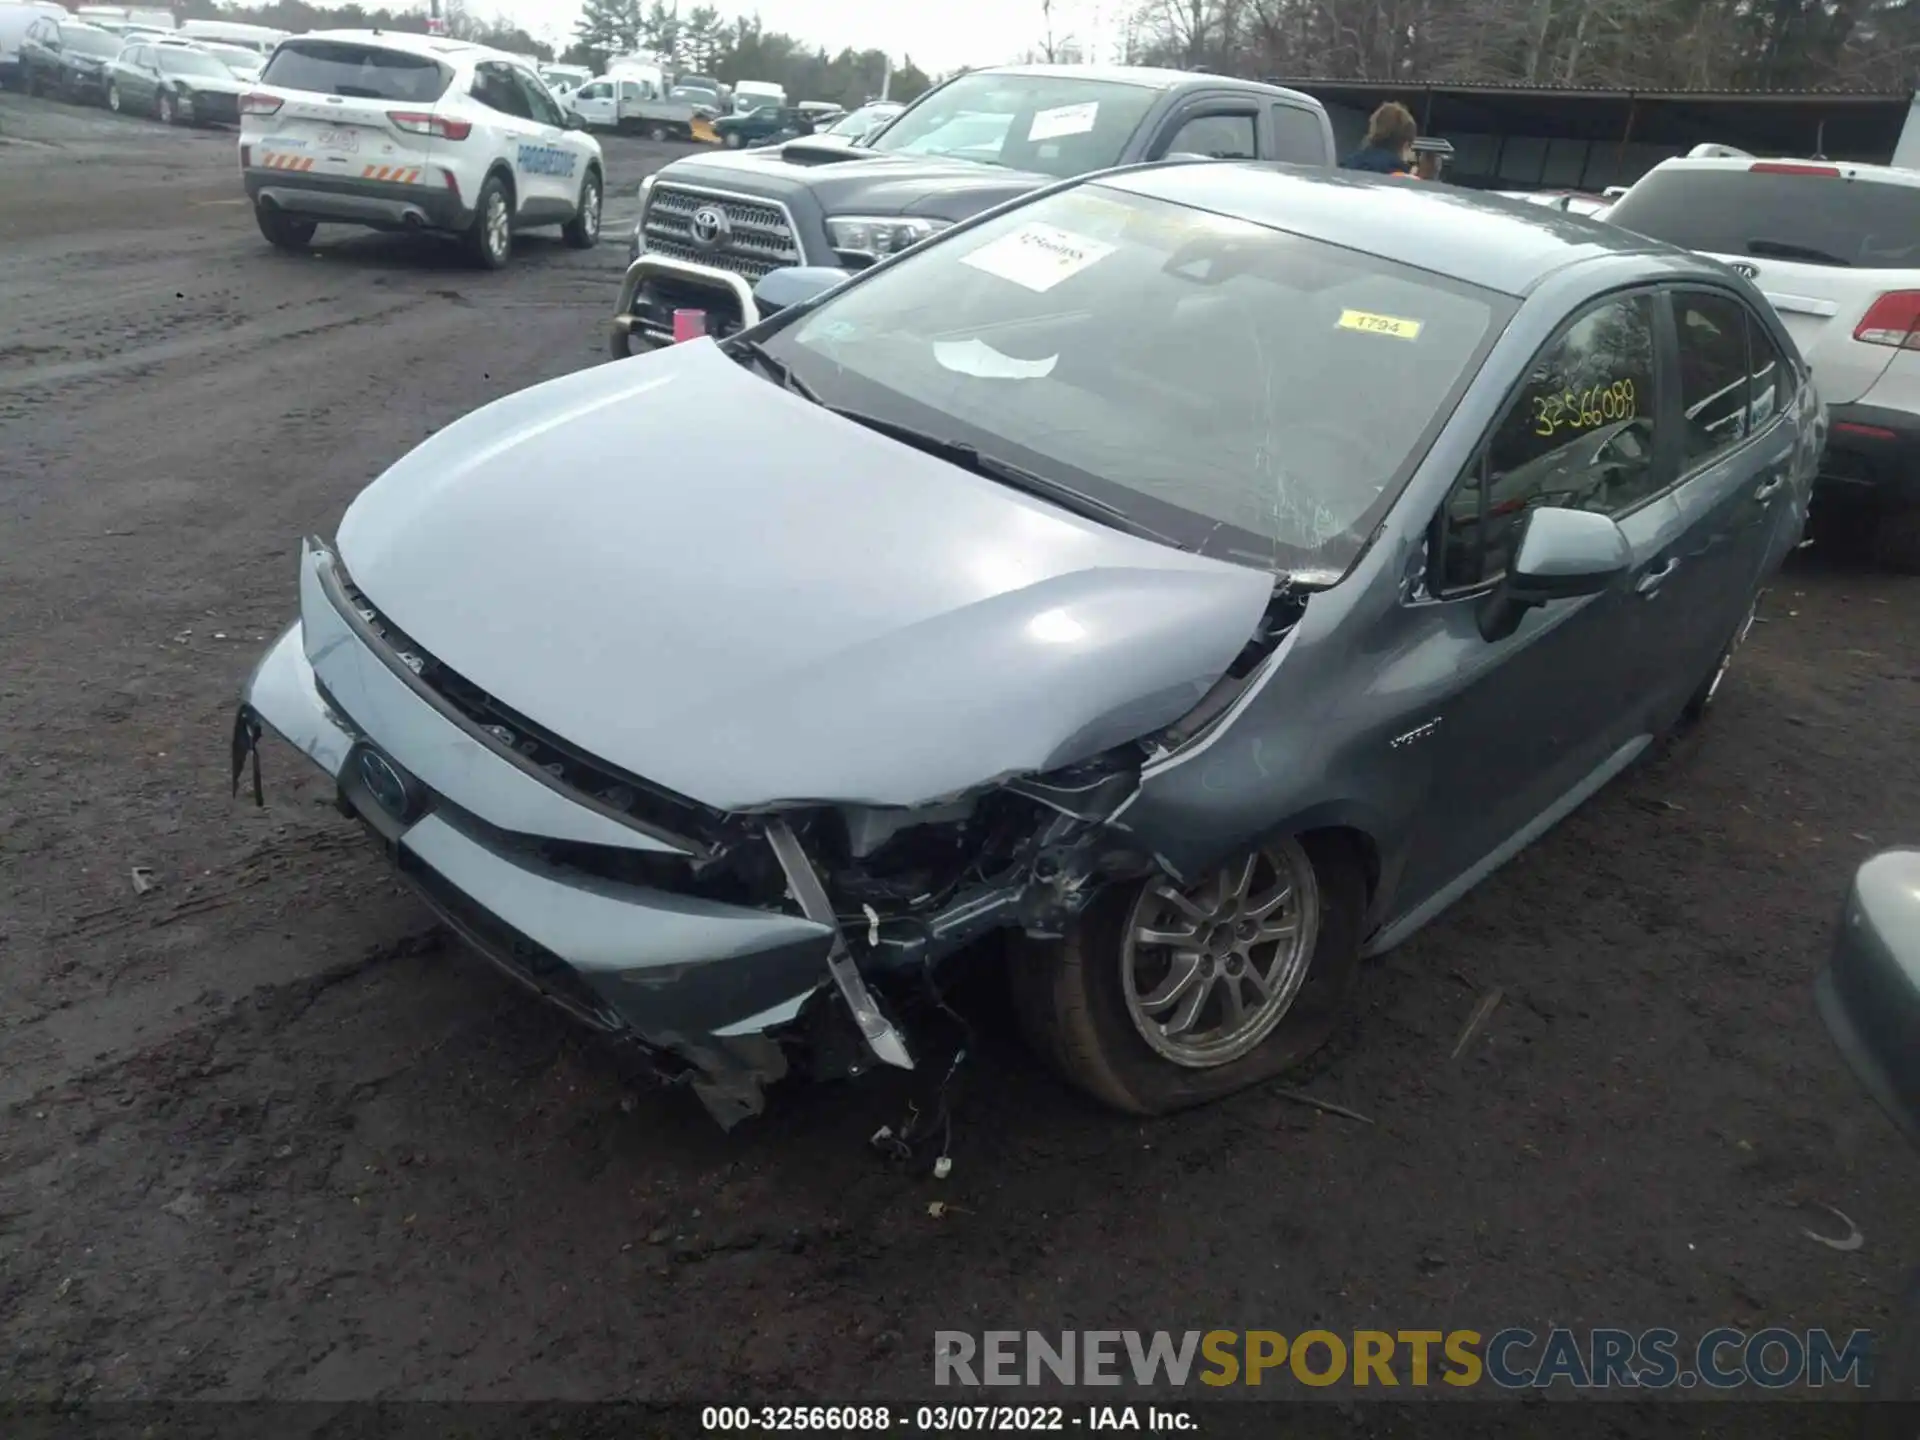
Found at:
[1579, 435]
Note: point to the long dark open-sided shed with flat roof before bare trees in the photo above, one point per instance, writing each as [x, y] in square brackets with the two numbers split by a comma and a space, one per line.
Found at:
[1520, 137]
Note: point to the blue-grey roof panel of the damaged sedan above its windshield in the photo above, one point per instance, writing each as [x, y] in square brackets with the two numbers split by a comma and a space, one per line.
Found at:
[1497, 245]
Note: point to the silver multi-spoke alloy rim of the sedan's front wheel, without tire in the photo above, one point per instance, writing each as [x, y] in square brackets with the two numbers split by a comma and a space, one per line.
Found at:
[1211, 969]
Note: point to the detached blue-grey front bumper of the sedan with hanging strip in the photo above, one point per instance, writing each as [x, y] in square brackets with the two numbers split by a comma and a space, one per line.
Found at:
[711, 988]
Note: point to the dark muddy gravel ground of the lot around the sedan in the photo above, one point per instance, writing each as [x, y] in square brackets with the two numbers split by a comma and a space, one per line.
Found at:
[268, 1132]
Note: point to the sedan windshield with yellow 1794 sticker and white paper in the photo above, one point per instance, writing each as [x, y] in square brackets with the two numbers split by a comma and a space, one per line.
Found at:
[1245, 393]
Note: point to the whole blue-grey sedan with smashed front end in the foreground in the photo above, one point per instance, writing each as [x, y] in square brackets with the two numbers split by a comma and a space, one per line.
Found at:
[1205, 573]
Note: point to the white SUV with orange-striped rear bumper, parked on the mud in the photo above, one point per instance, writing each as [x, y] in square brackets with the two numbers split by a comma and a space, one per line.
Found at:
[410, 132]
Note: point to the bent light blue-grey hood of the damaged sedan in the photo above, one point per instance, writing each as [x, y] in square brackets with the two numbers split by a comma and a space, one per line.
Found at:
[744, 598]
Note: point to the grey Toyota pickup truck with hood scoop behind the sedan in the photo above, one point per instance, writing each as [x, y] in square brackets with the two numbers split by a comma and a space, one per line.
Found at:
[715, 226]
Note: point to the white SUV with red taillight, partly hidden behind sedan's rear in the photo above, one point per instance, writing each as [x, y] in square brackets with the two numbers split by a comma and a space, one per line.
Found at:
[1836, 249]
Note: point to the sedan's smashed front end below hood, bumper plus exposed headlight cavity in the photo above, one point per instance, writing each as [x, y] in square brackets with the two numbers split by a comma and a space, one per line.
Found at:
[715, 942]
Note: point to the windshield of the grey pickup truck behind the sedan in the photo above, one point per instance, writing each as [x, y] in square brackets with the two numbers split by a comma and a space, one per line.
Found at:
[1045, 124]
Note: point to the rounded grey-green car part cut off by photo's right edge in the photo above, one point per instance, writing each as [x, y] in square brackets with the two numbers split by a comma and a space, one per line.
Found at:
[1869, 996]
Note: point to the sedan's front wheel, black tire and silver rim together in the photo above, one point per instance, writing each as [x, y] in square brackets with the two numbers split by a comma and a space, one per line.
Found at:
[1166, 996]
